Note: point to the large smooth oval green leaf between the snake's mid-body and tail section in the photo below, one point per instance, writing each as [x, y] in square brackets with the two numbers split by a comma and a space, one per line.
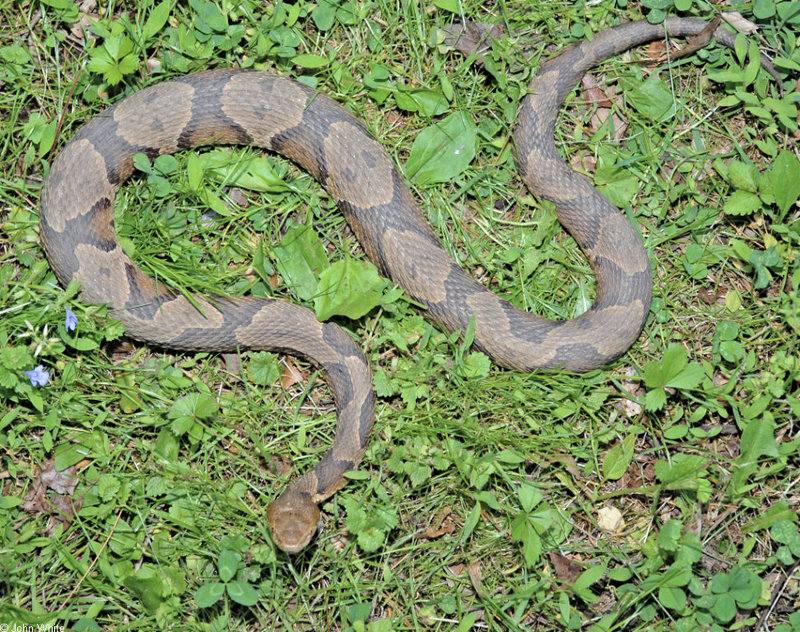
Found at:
[443, 150]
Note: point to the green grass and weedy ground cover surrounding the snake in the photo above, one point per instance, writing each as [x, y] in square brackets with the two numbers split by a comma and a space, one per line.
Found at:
[657, 493]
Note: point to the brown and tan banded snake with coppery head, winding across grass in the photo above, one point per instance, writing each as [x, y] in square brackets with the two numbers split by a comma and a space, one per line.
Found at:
[261, 108]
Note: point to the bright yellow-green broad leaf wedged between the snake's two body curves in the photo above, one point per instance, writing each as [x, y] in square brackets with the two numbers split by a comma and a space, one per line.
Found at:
[348, 288]
